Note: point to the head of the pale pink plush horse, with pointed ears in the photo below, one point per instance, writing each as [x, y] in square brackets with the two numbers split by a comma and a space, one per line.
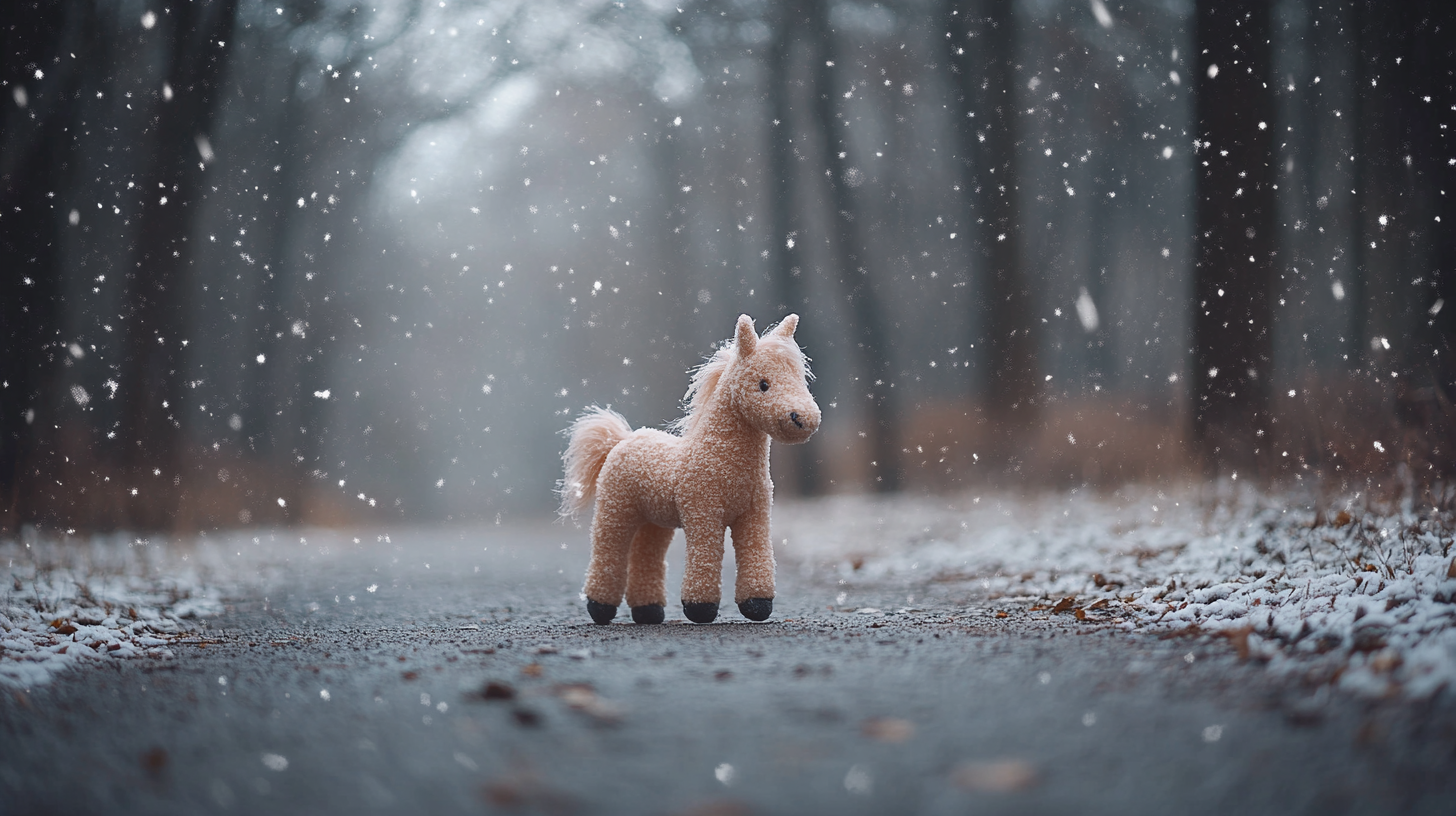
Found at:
[768, 382]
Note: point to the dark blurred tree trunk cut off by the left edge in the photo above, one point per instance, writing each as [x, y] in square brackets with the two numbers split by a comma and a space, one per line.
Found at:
[39, 168]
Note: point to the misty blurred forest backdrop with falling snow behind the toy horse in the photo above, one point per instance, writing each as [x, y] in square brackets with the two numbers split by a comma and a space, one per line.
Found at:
[340, 262]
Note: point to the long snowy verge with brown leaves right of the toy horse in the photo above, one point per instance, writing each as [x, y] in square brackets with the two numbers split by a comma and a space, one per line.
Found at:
[1352, 594]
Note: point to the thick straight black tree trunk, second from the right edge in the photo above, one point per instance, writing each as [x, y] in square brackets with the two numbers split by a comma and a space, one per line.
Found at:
[1234, 241]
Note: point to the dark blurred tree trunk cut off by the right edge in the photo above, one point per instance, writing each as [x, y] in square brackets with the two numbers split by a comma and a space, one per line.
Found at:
[1406, 75]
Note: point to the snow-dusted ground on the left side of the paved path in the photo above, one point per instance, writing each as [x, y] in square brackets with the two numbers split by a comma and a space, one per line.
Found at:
[76, 604]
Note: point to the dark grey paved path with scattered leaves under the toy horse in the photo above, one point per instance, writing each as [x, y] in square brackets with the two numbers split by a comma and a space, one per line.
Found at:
[315, 696]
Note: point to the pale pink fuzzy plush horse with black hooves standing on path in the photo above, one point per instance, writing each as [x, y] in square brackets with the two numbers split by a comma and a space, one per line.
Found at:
[710, 477]
